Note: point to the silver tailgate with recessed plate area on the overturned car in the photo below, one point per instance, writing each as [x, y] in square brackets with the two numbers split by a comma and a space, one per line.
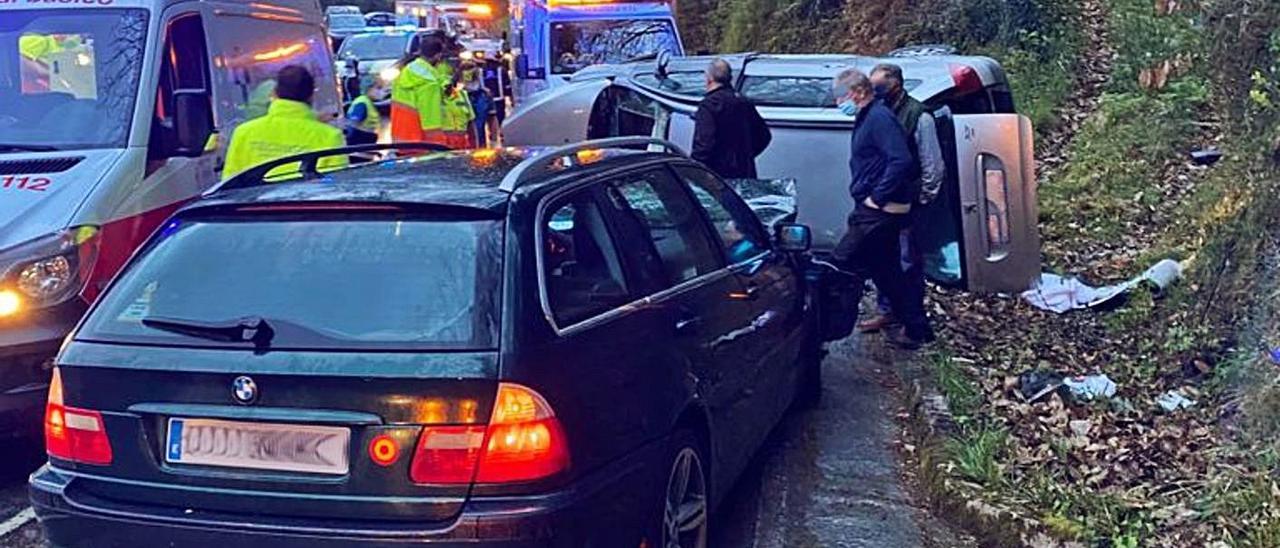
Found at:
[998, 202]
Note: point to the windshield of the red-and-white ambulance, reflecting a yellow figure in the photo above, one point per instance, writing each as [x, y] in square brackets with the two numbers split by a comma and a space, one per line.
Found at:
[70, 79]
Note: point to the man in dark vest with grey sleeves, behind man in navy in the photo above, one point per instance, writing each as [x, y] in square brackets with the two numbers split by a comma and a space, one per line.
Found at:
[888, 84]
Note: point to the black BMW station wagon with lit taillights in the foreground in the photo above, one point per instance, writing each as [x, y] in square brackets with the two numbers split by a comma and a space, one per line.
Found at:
[580, 346]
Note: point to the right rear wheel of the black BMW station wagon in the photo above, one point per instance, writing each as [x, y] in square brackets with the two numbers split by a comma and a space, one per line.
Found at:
[685, 503]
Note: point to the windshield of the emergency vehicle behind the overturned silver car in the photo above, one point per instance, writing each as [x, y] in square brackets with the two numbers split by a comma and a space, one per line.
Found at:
[580, 44]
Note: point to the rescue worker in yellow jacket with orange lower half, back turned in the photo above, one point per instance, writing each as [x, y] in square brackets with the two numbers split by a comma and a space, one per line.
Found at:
[419, 97]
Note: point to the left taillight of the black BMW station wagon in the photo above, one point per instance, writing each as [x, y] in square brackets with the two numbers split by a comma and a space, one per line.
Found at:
[75, 435]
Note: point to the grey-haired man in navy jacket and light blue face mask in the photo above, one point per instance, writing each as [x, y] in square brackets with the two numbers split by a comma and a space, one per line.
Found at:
[885, 185]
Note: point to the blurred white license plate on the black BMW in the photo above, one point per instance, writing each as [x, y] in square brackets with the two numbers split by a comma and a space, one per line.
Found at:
[285, 447]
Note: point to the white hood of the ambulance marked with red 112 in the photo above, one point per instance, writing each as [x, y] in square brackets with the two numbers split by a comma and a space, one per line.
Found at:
[45, 190]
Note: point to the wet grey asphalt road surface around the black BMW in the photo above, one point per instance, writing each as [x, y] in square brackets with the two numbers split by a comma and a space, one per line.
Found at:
[830, 477]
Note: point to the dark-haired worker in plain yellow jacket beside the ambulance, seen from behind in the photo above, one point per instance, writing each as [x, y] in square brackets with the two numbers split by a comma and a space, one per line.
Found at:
[290, 127]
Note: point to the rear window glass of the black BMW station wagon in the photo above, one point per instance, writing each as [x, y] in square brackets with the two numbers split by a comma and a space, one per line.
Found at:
[342, 284]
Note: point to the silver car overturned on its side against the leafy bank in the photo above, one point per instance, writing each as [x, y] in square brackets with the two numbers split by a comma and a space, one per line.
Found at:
[984, 234]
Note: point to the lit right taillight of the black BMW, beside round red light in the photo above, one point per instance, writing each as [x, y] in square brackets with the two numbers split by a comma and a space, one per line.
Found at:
[523, 442]
